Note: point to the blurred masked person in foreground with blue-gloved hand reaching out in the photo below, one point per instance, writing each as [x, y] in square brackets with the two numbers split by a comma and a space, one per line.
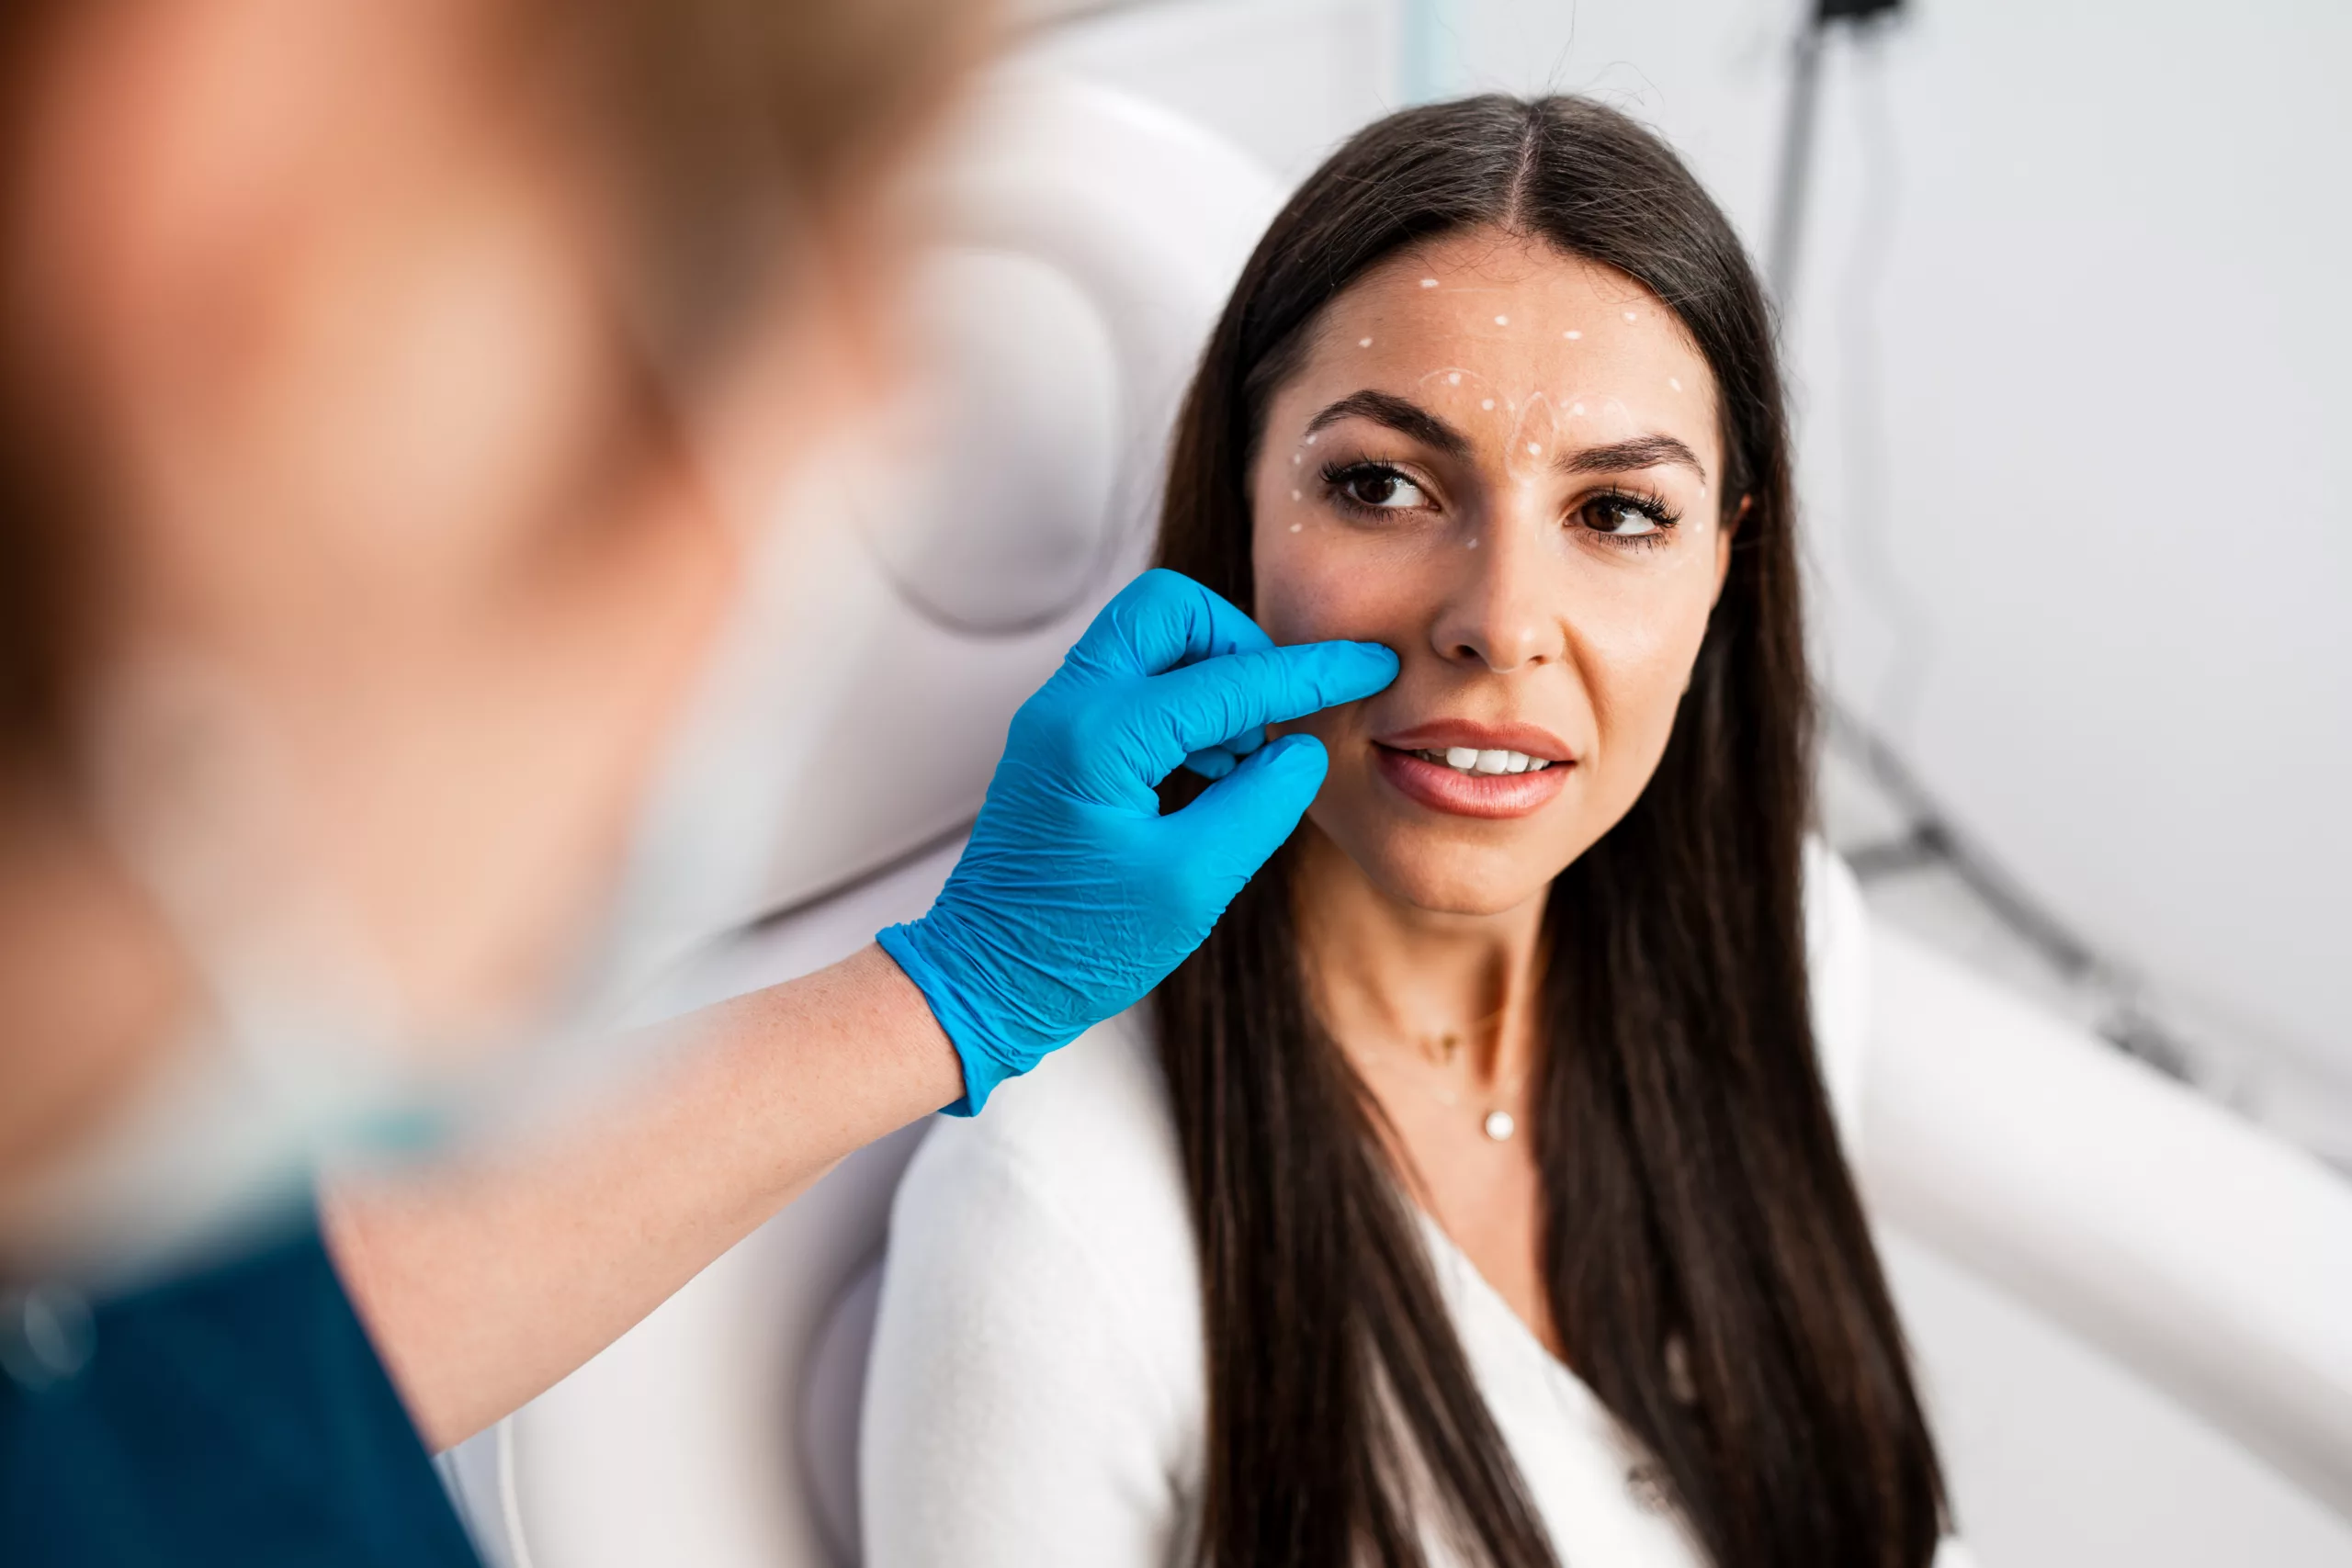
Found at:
[387, 394]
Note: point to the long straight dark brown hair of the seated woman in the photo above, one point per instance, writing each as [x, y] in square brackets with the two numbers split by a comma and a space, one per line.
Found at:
[1695, 1191]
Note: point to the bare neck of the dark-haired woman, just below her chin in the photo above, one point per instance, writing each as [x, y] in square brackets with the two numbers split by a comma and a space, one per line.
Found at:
[1396, 979]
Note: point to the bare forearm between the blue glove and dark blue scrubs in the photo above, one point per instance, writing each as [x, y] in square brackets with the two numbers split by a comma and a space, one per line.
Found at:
[483, 1285]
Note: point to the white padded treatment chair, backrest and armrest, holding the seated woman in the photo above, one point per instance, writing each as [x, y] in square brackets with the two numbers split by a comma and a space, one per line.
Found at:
[1085, 246]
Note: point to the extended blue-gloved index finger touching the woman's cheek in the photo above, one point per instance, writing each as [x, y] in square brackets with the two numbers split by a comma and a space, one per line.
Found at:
[1220, 699]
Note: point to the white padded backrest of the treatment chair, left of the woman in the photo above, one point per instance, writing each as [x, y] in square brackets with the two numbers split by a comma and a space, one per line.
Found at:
[1083, 246]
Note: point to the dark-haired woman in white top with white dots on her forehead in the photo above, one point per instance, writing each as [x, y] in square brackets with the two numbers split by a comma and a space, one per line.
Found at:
[1476, 1193]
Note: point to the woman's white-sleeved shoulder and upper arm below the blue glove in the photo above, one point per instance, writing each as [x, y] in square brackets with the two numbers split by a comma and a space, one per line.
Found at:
[1036, 1386]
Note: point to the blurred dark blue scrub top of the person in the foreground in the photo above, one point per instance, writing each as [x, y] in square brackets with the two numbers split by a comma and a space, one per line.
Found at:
[234, 1416]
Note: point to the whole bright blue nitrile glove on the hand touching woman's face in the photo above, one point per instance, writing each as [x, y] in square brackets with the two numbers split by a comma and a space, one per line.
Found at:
[1076, 897]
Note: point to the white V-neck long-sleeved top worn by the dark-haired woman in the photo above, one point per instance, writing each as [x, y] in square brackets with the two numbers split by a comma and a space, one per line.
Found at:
[1038, 1388]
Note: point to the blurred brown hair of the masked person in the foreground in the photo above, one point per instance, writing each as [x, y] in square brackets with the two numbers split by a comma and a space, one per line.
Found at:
[728, 128]
